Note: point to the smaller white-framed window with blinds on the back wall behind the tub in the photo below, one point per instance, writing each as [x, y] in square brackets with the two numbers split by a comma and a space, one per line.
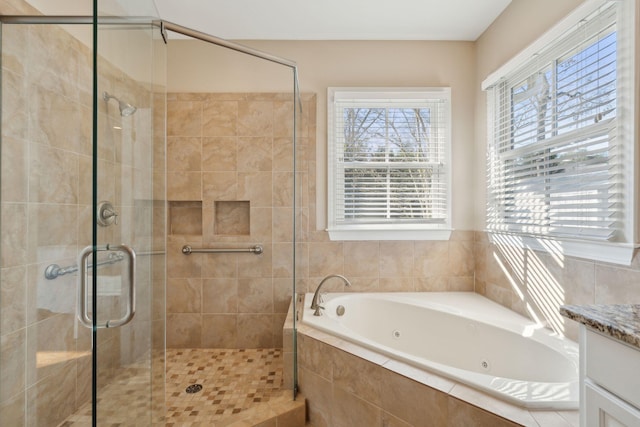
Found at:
[389, 168]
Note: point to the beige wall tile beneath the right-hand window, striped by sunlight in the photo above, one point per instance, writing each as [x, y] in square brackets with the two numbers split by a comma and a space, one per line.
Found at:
[537, 283]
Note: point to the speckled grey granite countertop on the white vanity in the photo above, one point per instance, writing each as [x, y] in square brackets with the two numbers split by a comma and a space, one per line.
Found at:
[619, 321]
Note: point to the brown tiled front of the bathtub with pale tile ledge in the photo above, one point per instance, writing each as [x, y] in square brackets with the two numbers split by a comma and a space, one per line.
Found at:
[349, 385]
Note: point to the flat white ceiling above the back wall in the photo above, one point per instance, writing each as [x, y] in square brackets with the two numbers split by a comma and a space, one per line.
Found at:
[335, 19]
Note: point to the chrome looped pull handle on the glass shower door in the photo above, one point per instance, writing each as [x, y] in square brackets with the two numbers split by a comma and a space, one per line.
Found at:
[83, 314]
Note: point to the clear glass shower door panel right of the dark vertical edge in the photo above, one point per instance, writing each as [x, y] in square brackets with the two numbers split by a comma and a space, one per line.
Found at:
[126, 292]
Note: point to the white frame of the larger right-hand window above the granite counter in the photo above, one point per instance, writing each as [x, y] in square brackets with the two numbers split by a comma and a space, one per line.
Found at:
[619, 251]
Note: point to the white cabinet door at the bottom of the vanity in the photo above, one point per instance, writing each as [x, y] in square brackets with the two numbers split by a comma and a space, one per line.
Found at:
[605, 410]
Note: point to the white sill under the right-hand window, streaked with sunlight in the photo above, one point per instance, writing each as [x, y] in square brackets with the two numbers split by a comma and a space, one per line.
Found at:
[615, 253]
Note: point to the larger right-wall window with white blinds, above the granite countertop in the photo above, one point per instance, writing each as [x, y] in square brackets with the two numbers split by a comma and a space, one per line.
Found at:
[560, 152]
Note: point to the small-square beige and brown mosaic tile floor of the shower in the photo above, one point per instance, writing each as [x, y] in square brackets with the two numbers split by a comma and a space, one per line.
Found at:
[234, 382]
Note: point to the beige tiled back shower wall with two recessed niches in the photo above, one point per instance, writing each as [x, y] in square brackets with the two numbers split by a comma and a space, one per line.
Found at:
[230, 184]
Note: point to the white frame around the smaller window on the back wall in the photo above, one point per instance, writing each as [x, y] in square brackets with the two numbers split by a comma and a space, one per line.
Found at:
[387, 230]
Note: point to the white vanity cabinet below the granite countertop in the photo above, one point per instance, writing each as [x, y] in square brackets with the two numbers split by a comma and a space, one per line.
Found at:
[610, 381]
